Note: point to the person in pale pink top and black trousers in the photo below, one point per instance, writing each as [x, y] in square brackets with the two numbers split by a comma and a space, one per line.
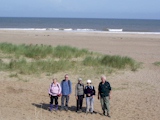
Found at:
[54, 92]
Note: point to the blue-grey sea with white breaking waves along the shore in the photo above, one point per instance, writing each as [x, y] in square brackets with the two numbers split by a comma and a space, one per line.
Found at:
[81, 24]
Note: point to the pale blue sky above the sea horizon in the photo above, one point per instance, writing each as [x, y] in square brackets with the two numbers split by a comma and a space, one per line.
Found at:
[128, 9]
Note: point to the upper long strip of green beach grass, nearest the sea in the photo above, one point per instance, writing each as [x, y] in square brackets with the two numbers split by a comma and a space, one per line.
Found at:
[42, 51]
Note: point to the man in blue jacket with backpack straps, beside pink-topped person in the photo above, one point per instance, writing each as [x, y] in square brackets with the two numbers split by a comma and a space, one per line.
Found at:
[66, 86]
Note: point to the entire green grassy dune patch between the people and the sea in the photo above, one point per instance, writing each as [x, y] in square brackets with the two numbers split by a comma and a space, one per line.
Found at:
[33, 59]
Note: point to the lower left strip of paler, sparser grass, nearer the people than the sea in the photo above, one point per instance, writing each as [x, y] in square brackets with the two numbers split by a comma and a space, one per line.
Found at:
[39, 66]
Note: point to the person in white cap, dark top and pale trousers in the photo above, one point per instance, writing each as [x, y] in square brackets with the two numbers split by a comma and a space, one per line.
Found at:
[90, 92]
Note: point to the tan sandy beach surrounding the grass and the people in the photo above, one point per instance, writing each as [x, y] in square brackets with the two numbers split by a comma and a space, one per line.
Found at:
[136, 95]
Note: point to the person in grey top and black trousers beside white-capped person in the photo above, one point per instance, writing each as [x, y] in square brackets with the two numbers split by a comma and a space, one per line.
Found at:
[79, 94]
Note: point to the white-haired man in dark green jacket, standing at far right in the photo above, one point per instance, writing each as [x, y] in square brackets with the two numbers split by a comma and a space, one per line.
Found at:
[104, 94]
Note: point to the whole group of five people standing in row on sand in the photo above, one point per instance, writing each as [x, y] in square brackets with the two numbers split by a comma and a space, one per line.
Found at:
[64, 90]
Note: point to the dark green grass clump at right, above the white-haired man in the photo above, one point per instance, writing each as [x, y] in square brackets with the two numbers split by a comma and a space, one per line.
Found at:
[117, 62]
